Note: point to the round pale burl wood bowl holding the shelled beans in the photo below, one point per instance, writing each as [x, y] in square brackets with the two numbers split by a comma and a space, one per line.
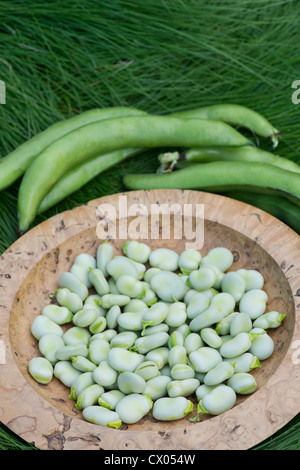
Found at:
[43, 414]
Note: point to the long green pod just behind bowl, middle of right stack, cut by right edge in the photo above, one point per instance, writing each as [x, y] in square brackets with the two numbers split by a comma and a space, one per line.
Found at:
[223, 176]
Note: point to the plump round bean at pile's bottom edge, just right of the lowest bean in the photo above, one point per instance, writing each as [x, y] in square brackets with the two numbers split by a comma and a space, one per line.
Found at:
[133, 407]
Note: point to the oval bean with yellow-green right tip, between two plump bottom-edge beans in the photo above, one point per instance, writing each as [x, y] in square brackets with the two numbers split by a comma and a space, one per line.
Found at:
[171, 409]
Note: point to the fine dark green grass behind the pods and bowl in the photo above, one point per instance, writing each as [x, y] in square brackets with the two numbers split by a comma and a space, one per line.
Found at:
[61, 58]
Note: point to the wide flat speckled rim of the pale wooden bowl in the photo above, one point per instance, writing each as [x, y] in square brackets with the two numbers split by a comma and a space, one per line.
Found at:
[34, 419]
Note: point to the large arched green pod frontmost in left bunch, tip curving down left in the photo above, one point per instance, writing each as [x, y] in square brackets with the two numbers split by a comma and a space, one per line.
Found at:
[107, 136]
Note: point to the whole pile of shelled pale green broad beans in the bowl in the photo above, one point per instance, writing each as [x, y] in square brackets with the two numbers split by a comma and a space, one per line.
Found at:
[154, 331]
